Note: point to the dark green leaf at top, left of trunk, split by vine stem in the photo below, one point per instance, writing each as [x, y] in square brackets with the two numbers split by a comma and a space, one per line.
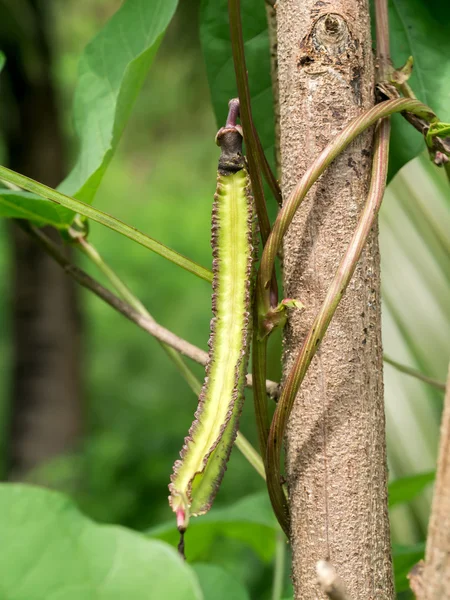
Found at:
[216, 46]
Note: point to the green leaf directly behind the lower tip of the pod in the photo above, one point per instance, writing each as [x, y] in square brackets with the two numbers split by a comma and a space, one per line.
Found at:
[249, 520]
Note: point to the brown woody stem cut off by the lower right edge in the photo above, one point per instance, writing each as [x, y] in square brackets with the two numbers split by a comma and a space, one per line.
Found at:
[432, 580]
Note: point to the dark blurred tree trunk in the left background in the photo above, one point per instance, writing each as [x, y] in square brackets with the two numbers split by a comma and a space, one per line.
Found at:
[45, 413]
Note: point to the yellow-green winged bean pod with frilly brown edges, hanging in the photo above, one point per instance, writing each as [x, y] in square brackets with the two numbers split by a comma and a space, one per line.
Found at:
[197, 476]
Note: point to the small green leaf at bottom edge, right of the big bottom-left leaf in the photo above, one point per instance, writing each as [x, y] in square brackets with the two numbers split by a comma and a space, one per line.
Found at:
[217, 584]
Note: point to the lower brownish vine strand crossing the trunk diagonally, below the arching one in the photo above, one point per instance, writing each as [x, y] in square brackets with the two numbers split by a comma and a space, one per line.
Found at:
[319, 327]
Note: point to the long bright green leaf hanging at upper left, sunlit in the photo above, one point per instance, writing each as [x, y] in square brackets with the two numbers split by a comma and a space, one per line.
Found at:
[112, 70]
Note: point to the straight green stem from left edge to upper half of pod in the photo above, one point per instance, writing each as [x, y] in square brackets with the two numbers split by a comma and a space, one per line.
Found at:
[104, 219]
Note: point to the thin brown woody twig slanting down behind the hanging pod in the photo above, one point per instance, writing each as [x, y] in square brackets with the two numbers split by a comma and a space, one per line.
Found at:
[158, 331]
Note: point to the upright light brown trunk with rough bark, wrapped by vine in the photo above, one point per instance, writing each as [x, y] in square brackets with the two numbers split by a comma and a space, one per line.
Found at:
[336, 457]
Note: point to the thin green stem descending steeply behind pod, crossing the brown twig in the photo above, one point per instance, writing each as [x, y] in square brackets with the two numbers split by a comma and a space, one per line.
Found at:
[122, 289]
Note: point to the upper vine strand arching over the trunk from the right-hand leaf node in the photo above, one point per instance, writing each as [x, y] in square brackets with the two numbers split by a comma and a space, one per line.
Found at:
[325, 158]
